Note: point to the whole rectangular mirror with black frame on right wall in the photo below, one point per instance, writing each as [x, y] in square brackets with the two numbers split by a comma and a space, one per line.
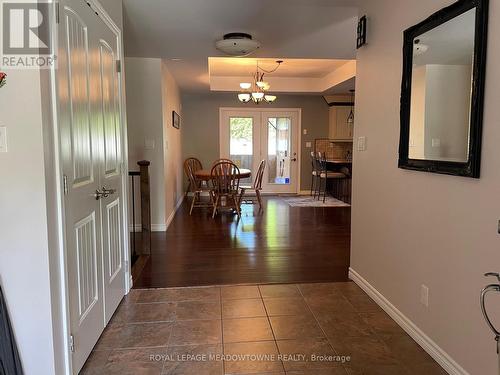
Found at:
[442, 93]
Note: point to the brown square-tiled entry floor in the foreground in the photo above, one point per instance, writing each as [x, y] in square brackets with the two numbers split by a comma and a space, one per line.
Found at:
[305, 329]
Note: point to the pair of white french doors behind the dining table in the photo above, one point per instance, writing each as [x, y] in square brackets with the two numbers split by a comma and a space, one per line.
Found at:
[249, 136]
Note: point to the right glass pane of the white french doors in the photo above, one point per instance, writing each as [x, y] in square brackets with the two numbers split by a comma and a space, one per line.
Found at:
[279, 141]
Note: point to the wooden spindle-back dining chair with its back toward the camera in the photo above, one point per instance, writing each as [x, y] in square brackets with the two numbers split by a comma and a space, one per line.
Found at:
[225, 184]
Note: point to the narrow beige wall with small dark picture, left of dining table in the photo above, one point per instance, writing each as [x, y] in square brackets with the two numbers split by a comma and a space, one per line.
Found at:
[173, 173]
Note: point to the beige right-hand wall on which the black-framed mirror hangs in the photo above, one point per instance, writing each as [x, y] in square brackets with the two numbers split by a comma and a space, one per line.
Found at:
[411, 228]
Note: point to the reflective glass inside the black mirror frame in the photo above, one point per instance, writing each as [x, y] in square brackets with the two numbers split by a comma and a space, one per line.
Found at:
[441, 91]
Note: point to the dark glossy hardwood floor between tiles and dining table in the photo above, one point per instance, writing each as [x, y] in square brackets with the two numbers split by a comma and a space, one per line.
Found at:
[283, 245]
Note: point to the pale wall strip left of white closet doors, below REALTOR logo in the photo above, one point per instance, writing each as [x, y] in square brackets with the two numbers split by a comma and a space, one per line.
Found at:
[24, 251]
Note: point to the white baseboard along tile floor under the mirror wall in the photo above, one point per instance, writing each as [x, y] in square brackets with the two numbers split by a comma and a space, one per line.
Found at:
[439, 355]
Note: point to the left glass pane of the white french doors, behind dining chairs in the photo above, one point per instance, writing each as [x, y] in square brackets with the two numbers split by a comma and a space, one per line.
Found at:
[241, 143]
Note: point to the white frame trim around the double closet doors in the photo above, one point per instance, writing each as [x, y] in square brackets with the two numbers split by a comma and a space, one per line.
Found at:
[59, 281]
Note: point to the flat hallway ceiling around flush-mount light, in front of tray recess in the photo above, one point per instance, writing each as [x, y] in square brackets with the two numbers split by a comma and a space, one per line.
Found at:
[188, 29]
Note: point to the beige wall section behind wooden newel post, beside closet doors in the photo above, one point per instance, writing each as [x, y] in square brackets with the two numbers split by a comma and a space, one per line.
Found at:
[145, 125]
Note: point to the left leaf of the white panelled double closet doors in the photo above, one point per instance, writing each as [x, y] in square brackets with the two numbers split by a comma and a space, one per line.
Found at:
[79, 135]
